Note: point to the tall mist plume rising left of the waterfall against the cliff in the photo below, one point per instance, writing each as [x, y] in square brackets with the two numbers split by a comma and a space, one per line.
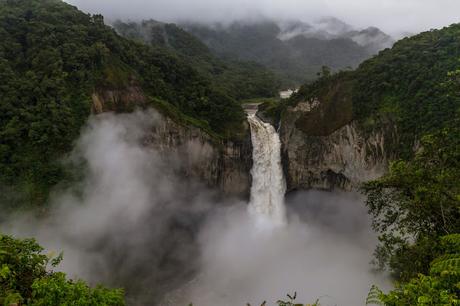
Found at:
[124, 223]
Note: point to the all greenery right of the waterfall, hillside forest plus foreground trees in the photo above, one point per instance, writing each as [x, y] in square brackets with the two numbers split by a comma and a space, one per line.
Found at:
[414, 88]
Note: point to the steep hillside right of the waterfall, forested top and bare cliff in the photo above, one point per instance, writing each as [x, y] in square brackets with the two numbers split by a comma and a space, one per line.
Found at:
[345, 128]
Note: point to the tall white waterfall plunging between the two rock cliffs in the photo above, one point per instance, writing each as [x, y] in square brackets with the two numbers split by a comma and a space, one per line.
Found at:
[268, 184]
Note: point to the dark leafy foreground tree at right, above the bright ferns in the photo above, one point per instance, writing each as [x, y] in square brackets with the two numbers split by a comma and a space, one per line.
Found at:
[417, 201]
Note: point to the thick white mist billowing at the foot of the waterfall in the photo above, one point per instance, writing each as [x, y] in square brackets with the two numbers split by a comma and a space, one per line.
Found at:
[323, 253]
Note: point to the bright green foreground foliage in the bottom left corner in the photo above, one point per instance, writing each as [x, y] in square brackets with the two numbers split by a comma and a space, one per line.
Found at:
[26, 280]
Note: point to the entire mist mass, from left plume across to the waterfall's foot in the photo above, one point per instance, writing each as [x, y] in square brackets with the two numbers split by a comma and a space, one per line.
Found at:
[131, 221]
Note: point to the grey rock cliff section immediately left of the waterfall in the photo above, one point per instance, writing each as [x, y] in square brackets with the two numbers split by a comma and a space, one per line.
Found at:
[194, 153]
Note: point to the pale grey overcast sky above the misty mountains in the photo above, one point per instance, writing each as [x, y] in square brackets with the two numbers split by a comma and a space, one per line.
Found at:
[392, 16]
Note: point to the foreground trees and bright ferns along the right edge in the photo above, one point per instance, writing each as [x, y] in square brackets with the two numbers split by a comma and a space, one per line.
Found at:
[417, 203]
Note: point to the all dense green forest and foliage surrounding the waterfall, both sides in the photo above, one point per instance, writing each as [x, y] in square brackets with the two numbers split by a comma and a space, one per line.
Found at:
[54, 58]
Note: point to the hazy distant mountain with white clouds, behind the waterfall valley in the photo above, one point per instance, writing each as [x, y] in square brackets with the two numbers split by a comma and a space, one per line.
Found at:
[295, 50]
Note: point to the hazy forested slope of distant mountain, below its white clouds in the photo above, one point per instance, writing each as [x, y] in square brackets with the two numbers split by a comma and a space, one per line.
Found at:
[294, 60]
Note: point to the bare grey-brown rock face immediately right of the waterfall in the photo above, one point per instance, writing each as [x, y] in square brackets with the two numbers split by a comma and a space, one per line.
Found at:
[342, 158]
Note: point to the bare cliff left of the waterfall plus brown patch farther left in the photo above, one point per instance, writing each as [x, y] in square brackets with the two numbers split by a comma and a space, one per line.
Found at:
[192, 152]
